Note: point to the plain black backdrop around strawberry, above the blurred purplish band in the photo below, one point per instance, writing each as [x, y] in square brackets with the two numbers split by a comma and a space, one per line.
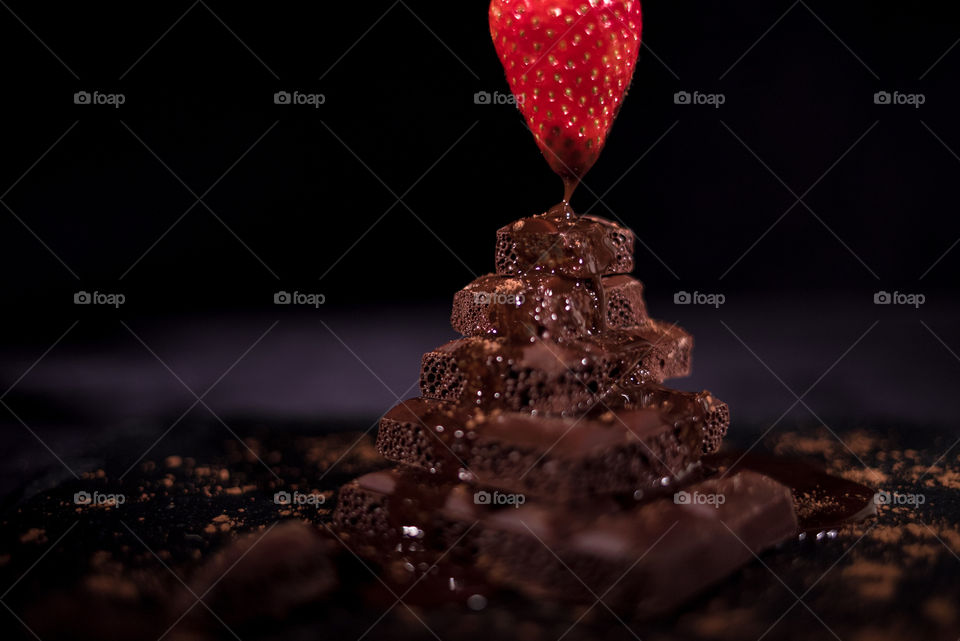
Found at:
[700, 185]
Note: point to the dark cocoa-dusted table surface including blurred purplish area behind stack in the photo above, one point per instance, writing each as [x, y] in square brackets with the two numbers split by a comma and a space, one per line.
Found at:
[113, 414]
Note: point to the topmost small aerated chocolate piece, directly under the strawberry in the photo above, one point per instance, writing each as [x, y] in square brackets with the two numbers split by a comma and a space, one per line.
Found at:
[574, 246]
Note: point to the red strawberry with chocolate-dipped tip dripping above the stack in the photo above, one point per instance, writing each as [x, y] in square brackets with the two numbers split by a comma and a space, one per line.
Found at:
[569, 63]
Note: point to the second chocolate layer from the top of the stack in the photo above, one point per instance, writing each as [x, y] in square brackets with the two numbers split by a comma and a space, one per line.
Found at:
[547, 306]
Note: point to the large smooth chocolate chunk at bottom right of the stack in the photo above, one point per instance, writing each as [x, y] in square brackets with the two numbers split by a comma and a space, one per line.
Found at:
[670, 548]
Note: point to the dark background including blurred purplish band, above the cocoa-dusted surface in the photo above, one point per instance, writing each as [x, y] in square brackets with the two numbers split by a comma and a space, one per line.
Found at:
[104, 199]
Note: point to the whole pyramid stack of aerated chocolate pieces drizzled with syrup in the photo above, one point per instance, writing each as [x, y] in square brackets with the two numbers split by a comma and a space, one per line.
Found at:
[545, 452]
